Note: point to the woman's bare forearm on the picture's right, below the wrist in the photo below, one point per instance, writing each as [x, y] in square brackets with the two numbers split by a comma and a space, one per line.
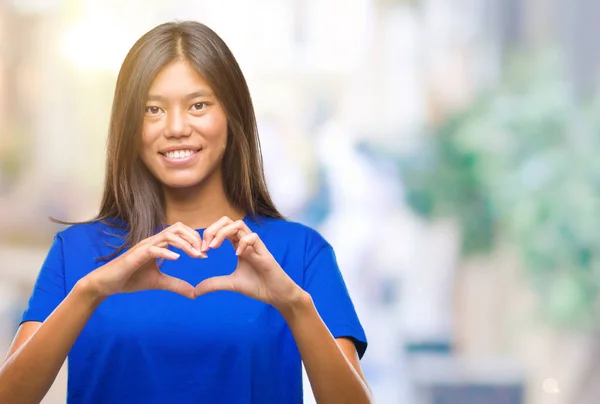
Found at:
[332, 377]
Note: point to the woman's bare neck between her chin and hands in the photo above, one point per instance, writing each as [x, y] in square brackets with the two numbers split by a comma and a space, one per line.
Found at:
[200, 206]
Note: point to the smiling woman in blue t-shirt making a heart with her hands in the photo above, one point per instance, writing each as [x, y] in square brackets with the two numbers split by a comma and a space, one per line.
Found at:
[230, 298]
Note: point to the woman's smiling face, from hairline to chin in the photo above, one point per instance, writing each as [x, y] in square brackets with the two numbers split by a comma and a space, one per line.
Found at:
[185, 128]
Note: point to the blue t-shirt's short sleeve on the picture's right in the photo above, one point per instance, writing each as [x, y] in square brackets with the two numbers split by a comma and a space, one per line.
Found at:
[324, 282]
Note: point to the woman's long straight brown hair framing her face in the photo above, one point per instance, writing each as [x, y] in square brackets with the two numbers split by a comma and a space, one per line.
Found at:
[132, 195]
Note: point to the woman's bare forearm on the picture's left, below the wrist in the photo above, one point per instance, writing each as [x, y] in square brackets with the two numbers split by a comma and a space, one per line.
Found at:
[27, 375]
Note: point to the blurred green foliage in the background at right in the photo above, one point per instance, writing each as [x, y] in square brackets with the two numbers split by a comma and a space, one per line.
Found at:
[522, 165]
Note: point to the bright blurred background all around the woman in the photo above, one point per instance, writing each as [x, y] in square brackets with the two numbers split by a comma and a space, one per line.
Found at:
[446, 148]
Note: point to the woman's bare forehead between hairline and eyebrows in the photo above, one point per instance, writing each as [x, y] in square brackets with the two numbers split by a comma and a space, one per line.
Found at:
[178, 78]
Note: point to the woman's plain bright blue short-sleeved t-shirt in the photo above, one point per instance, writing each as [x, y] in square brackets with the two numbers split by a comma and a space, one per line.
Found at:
[223, 347]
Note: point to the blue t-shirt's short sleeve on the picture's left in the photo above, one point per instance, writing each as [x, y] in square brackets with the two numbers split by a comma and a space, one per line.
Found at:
[49, 289]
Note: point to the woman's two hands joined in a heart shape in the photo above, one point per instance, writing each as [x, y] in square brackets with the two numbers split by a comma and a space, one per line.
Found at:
[257, 275]
